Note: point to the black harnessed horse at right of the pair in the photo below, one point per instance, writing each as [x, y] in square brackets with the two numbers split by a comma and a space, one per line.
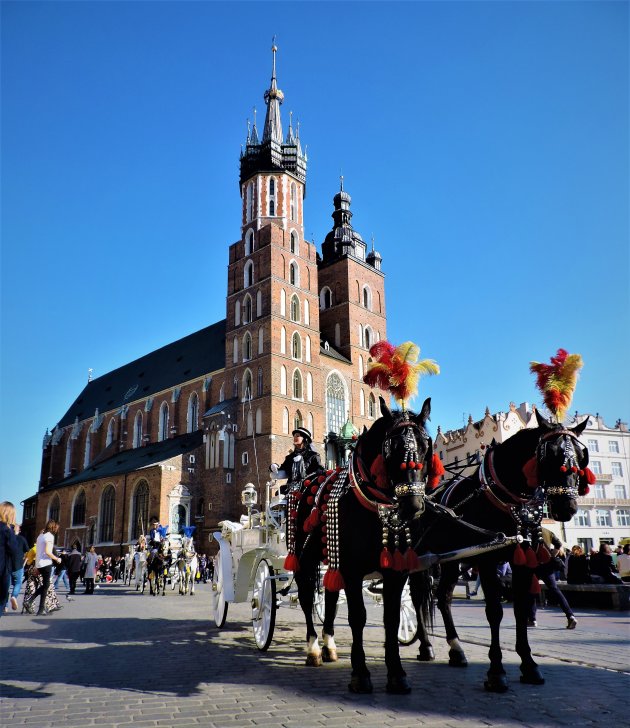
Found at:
[505, 495]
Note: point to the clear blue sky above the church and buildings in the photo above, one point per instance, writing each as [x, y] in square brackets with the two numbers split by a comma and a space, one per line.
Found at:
[485, 146]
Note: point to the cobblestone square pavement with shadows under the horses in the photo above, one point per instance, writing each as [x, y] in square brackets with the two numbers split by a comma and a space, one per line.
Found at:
[118, 658]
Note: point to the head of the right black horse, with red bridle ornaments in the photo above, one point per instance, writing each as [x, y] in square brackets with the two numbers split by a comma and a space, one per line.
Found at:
[561, 460]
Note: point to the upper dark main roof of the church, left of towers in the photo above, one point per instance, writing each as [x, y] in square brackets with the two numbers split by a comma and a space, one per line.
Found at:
[180, 361]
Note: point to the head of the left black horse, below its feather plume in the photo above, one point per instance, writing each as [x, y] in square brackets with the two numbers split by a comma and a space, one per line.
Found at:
[397, 450]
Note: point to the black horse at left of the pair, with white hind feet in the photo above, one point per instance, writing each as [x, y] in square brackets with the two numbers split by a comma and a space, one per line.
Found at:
[337, 519]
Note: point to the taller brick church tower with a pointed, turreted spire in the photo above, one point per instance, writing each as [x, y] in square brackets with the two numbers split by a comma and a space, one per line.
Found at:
[272, 367]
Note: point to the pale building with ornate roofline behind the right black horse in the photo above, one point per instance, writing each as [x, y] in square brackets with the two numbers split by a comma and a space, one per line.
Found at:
[604, 514]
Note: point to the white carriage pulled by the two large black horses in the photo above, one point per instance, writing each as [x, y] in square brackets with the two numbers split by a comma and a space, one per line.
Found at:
[250, 567]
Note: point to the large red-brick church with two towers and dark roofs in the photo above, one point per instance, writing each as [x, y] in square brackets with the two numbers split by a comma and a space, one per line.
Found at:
[178, 433]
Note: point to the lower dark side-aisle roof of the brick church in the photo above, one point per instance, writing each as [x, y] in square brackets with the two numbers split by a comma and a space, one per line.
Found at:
[128, 461]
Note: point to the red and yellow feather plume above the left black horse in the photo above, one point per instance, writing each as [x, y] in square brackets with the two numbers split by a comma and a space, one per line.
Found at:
[397, 369]
